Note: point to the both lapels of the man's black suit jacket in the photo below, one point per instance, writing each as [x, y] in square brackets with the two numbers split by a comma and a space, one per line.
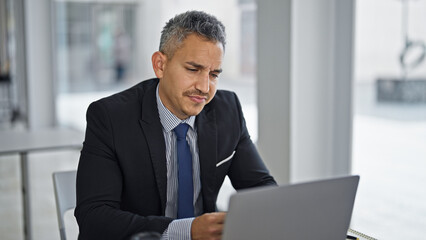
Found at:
[207, 144]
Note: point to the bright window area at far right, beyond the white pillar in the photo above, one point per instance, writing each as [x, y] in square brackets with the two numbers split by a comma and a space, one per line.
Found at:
[389, 132]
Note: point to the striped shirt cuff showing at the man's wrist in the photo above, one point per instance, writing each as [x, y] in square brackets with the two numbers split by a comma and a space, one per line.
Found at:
[179, 229]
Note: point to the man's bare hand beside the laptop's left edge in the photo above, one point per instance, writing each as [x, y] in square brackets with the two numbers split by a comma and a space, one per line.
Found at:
[208, 226]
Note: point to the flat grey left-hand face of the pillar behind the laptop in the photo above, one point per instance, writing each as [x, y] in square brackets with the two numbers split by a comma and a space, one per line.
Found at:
[273, 85]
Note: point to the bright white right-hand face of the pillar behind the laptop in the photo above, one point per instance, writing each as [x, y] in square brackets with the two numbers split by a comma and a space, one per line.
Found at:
[322, 78]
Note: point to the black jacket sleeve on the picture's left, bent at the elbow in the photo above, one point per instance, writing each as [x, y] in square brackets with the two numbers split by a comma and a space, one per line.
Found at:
[100, 184]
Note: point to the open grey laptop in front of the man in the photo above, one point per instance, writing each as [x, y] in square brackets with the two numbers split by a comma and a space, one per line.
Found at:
[305, 211]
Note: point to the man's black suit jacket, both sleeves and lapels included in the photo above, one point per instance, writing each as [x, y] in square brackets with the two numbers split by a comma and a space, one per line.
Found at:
[121, 178]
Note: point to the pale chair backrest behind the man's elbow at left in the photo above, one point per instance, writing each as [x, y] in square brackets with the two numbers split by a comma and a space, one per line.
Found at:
[64, 185]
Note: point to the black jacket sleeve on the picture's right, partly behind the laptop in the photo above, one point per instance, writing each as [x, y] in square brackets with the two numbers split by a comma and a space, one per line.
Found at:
[248, 169]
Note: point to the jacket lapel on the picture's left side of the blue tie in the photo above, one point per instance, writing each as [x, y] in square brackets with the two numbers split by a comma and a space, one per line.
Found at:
[153, 131]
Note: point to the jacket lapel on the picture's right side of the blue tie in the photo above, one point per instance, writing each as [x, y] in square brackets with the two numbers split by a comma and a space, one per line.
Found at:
[207, 144]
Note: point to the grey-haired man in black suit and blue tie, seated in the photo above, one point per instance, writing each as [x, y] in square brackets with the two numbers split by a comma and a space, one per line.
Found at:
[138, 173]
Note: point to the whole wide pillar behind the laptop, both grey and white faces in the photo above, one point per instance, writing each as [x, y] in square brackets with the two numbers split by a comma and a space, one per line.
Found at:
[305, 108]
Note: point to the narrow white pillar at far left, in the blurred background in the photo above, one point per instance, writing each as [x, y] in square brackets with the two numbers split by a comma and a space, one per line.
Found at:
[38, 39]
